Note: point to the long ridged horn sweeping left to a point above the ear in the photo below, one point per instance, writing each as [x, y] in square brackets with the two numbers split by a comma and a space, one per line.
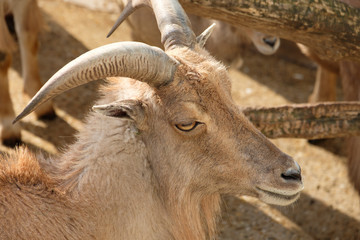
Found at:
[126, 59]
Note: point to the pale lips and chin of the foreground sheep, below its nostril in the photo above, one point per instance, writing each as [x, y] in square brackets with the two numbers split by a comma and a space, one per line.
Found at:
[277, 198]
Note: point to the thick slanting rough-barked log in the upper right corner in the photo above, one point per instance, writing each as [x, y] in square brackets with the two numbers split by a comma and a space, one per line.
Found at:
[330, 27]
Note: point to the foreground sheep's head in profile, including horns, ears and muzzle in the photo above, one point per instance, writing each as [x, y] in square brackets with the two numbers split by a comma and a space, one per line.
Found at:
[185, 115]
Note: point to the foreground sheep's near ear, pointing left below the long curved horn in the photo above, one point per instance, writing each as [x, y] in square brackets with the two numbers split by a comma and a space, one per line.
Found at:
[129, 109]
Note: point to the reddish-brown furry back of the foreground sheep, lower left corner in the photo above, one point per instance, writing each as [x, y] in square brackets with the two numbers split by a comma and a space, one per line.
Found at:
[32, 202]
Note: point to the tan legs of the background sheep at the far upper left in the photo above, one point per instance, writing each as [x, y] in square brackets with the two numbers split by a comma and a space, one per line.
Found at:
[23, 18]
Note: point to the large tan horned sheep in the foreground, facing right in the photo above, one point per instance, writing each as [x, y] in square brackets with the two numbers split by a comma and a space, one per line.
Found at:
[155, 155]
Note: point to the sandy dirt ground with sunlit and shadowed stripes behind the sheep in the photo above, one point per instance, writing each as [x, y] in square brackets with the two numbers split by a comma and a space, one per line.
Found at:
[329, 207]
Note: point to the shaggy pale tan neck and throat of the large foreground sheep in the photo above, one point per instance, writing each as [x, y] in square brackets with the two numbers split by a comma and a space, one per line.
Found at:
[128, 201]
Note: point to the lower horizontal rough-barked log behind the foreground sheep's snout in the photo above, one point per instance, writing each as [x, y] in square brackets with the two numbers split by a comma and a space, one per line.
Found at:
[311, 121]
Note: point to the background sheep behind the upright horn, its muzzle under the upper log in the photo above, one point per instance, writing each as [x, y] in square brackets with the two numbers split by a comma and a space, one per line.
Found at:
[227, 41]
